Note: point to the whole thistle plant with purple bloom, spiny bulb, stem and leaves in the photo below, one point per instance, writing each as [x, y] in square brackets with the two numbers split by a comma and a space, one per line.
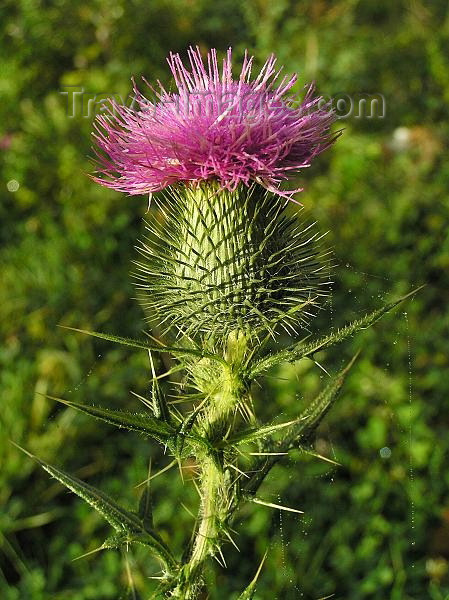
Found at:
[222, 271]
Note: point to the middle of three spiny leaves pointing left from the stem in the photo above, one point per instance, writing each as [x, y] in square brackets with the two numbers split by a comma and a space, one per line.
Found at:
[141, 422]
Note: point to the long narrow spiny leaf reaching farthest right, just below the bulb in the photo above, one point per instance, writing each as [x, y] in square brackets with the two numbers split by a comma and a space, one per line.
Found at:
[301, 350]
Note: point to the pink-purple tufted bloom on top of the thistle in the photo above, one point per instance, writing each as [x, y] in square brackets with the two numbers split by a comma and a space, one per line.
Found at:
[212, 128]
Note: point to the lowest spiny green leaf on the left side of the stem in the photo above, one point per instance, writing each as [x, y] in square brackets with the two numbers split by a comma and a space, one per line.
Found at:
[122, 520]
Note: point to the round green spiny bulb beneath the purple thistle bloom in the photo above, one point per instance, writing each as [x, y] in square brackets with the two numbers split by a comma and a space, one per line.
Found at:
[221, 261]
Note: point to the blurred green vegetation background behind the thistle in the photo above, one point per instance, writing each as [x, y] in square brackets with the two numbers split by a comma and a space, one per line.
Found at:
[376, 527]
